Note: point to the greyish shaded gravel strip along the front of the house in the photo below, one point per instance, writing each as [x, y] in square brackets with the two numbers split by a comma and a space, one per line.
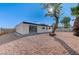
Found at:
[15, 36]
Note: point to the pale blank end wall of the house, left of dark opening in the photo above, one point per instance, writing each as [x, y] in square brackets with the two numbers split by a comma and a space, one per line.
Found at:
[22, 28]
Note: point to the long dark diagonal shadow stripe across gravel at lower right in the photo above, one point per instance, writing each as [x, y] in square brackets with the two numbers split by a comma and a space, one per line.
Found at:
[69, 49]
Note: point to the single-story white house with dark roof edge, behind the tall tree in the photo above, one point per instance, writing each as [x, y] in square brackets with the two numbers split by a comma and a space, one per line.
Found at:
[30, 28]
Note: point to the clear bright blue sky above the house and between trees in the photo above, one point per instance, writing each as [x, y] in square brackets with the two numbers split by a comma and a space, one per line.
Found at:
[13, 13]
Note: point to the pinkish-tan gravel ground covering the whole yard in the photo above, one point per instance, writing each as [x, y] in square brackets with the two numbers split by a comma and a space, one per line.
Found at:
[64, 43]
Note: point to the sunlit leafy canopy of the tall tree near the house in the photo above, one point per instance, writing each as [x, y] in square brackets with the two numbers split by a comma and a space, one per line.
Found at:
[56, 9]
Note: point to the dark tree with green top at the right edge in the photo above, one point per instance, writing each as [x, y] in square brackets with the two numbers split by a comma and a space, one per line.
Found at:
[75, 12]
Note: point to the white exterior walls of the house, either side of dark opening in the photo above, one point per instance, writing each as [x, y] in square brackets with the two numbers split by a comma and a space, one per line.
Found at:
[24, 29]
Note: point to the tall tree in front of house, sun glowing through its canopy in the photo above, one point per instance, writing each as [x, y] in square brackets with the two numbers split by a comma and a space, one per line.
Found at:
[53, 10]
